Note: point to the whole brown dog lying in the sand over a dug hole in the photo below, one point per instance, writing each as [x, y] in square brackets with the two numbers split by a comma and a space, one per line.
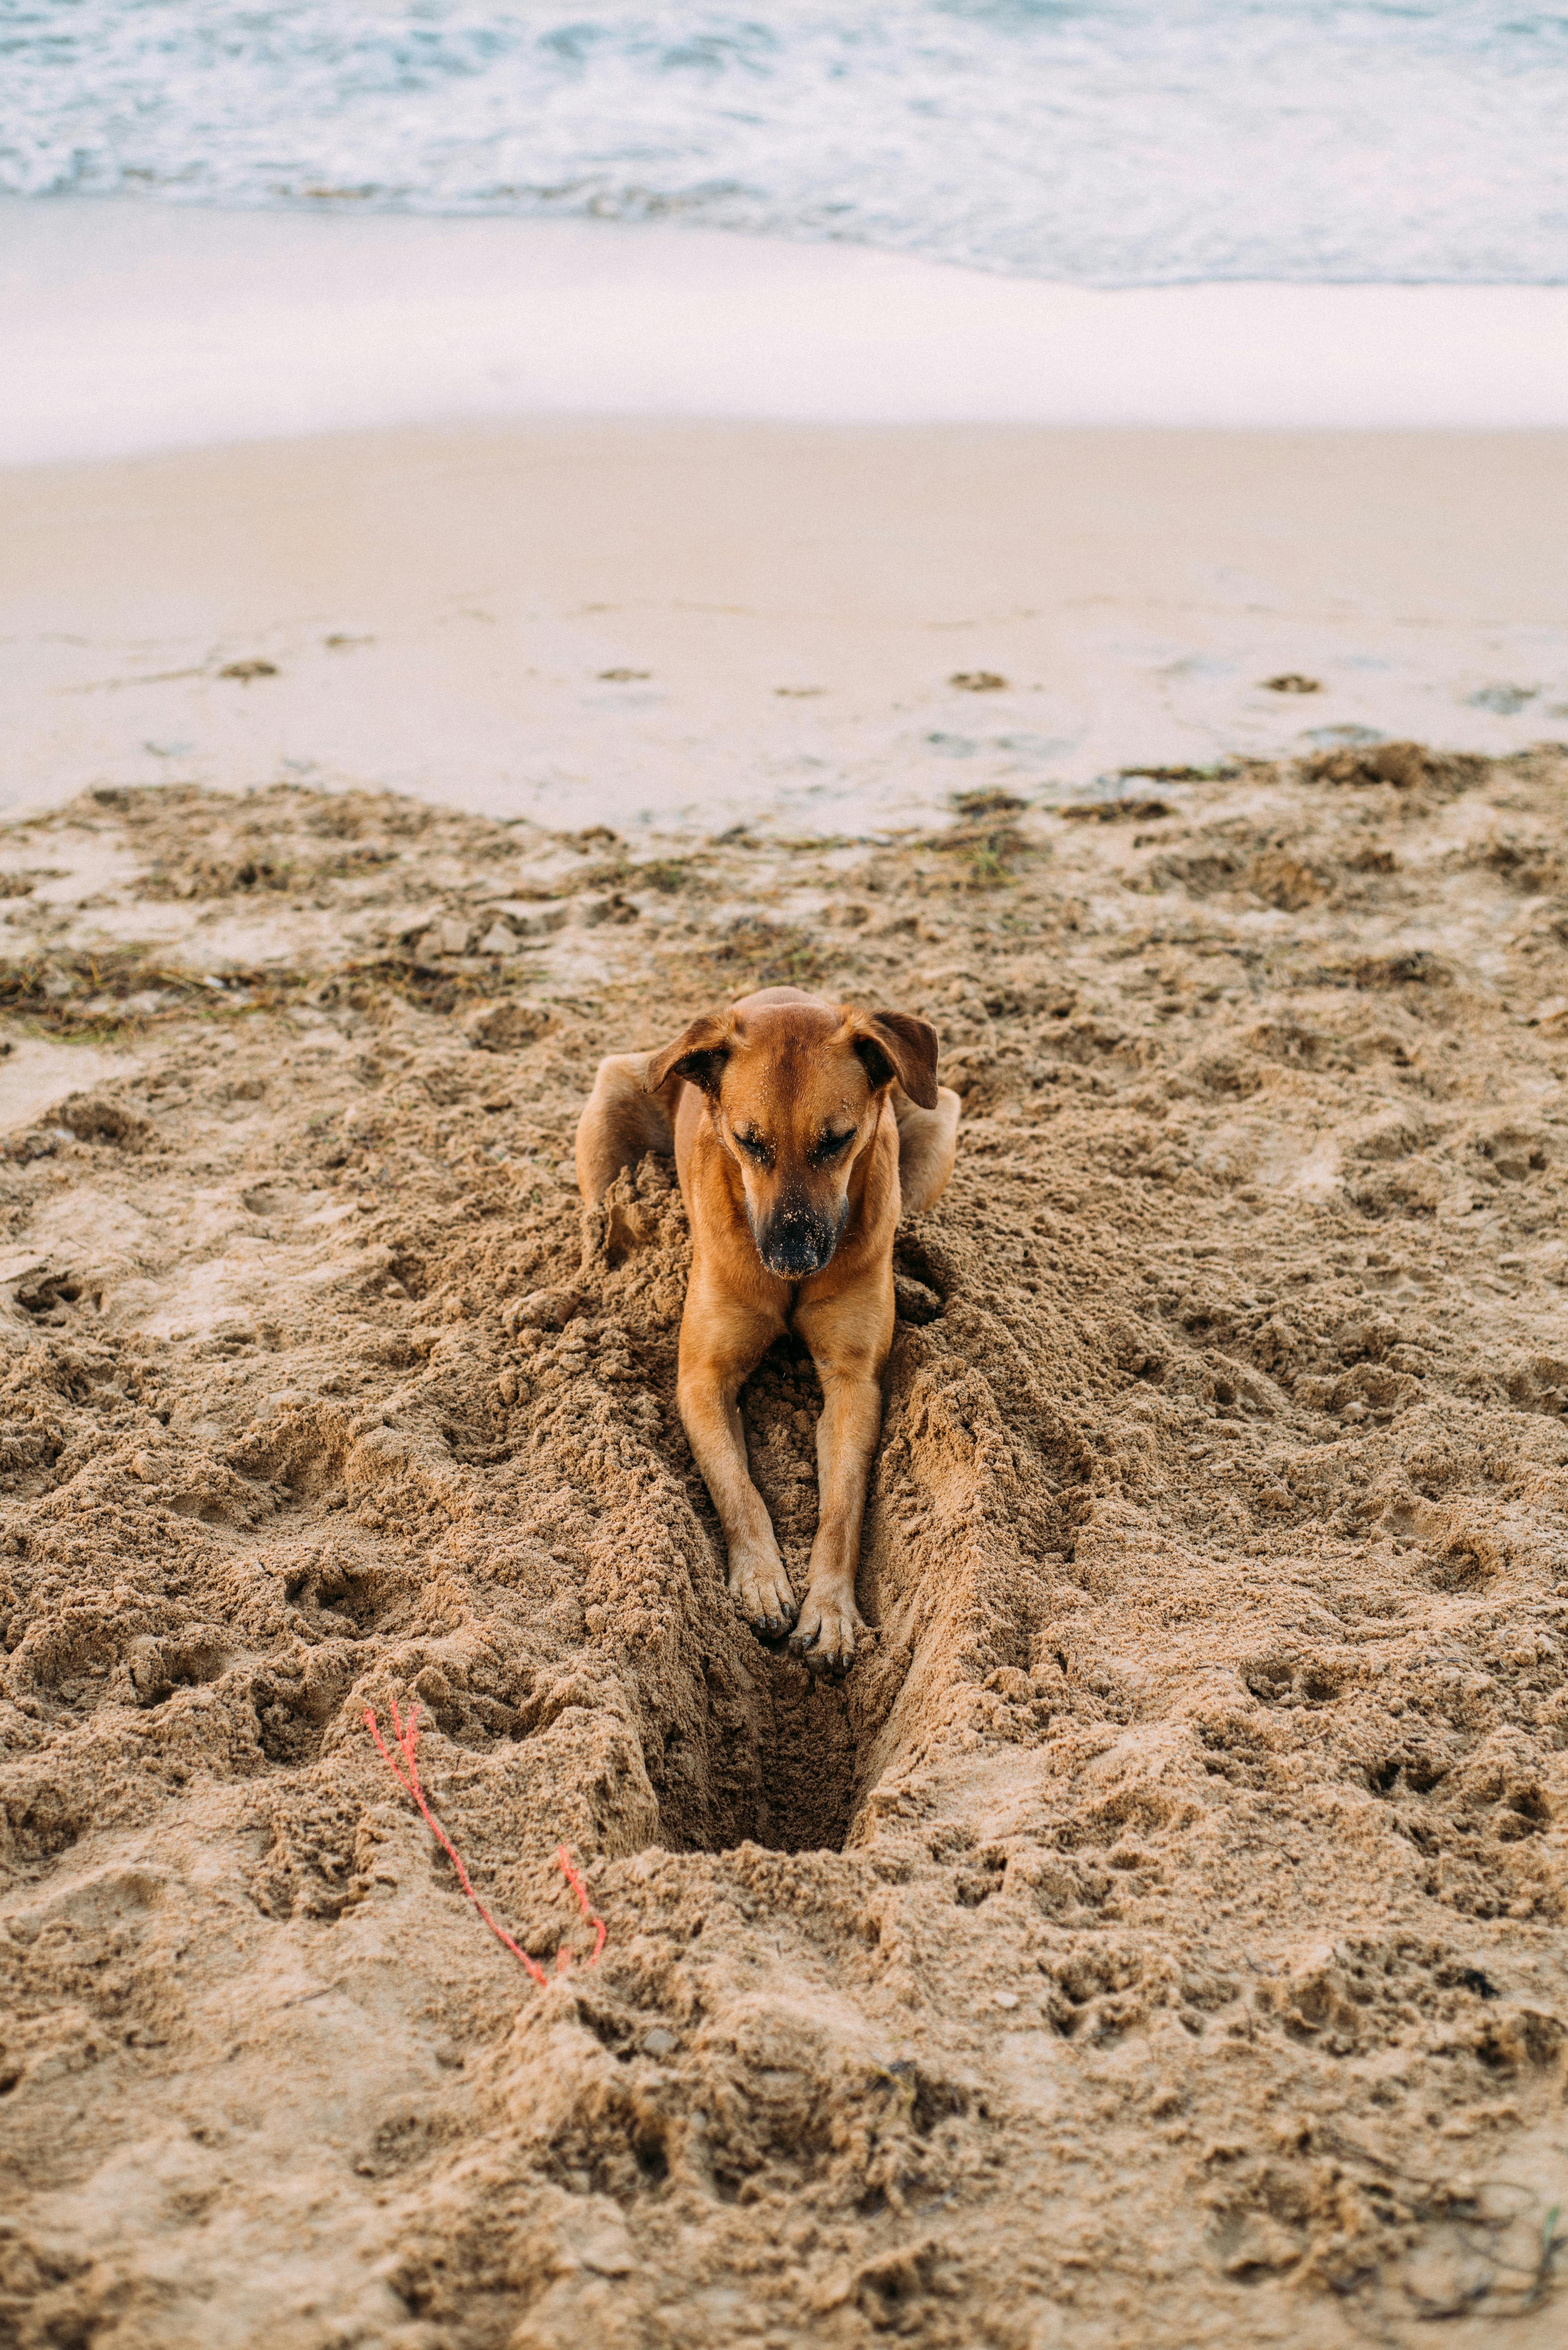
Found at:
[800, 1134]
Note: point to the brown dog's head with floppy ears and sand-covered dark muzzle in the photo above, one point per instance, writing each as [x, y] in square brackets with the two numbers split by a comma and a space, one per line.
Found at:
[796, 1089]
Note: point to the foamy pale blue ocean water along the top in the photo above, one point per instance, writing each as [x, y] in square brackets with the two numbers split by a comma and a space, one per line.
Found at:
[1097, 142]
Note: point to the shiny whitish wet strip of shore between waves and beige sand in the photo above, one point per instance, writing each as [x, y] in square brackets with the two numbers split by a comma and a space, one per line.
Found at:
[135, 328]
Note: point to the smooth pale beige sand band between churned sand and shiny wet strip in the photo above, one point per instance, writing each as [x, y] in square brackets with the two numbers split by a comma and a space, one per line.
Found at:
[443, 603]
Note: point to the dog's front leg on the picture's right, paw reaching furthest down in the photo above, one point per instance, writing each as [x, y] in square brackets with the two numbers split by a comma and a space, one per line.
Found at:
[850, 1343]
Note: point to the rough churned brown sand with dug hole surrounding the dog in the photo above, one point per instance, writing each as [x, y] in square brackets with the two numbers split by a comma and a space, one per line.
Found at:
[1155, 1942]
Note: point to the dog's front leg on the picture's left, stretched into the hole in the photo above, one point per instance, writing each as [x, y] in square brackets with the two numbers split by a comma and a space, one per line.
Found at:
[718, 1348]
